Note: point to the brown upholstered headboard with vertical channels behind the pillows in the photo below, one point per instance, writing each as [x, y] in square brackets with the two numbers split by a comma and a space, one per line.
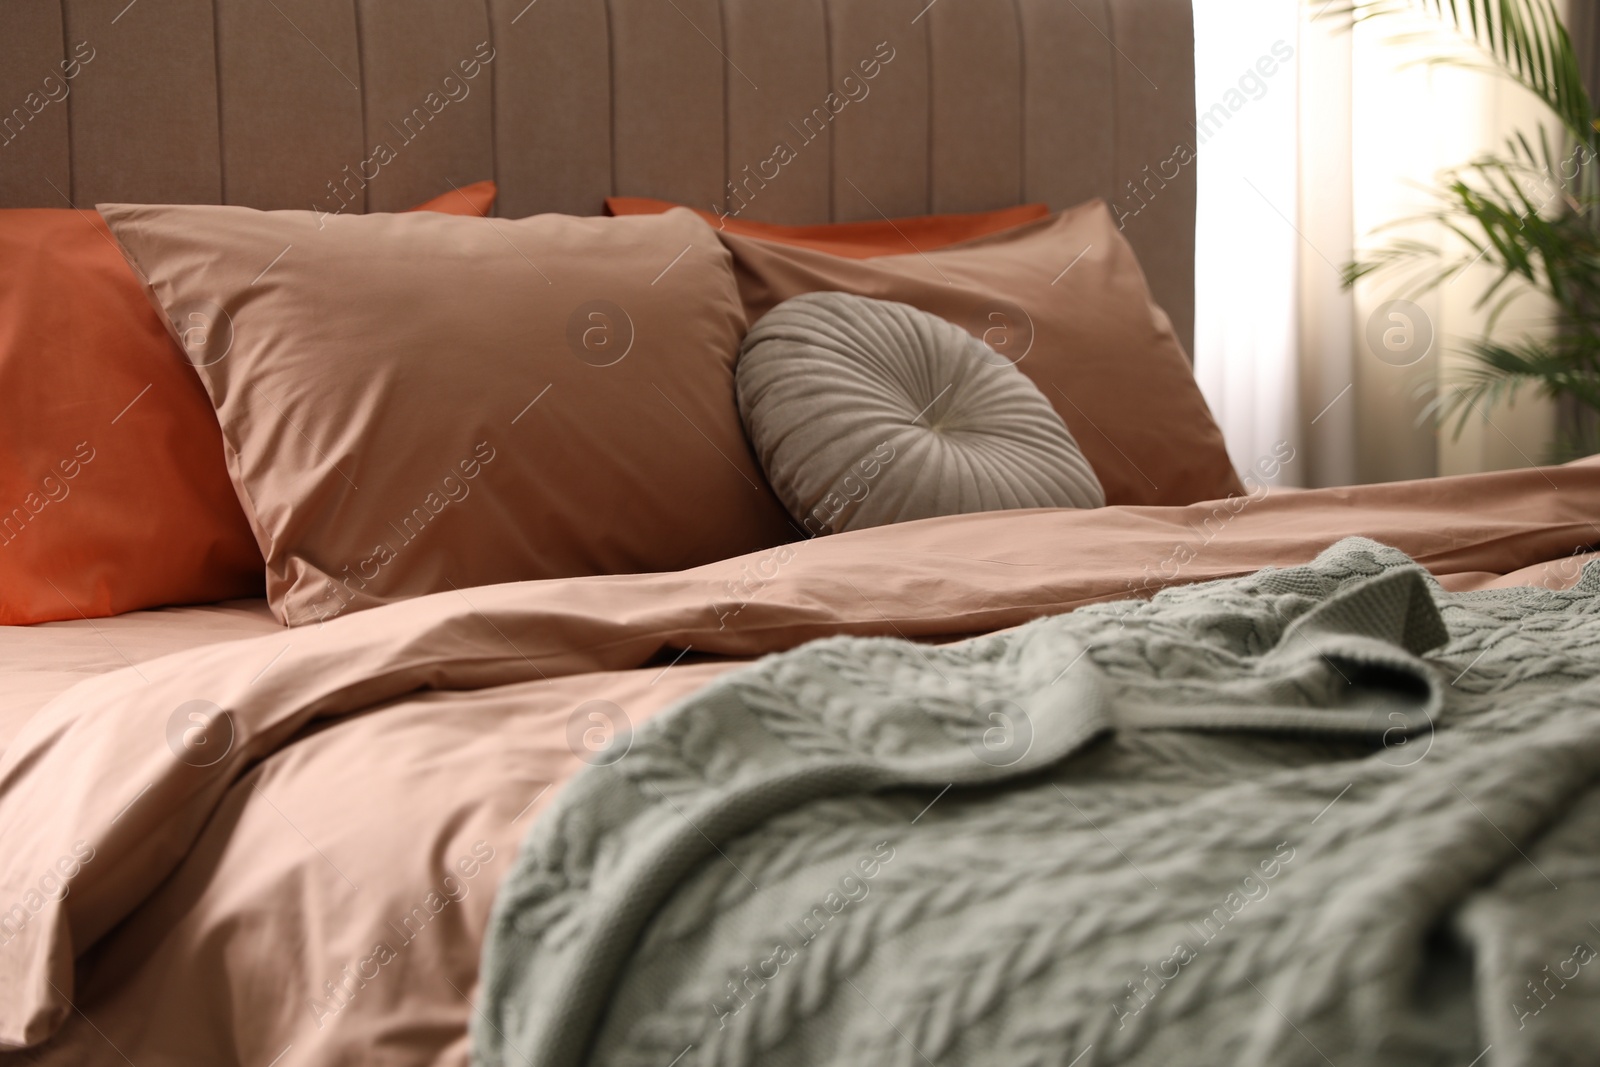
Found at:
[380, 105]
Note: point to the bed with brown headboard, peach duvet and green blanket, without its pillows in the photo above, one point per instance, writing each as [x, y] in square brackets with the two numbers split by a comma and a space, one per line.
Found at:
[239, 842]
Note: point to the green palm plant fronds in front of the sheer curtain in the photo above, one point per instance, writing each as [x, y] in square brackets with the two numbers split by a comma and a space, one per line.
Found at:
[1530, 214]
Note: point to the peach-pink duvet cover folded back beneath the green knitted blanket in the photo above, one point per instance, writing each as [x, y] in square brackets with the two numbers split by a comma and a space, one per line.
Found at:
[313, 887]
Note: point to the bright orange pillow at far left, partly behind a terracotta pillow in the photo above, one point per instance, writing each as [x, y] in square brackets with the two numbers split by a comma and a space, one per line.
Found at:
[114, 490]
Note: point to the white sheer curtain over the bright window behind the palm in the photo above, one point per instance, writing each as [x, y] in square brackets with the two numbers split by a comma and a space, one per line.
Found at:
[1300, 161]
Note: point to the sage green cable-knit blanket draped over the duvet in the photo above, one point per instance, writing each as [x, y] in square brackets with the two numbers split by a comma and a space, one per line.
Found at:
[1322, 815]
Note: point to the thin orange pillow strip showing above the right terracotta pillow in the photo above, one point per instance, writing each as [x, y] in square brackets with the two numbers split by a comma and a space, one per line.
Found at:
[857, 241]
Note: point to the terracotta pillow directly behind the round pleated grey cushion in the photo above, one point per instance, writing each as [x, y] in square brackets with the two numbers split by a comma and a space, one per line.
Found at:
[1066, 303]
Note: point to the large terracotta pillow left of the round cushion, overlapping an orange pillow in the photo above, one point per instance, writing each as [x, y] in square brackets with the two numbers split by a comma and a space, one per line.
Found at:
[414, 404]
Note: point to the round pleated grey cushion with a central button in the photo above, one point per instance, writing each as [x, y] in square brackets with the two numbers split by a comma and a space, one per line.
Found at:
[868, 412]
